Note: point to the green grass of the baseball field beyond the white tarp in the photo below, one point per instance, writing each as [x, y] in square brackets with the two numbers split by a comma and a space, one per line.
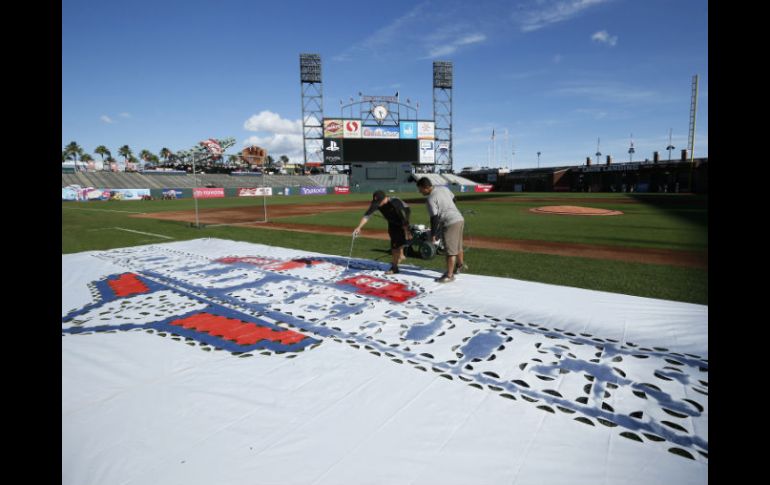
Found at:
[661, 221]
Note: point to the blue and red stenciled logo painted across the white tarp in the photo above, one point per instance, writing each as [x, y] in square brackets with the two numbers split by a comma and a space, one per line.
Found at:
[255, 304]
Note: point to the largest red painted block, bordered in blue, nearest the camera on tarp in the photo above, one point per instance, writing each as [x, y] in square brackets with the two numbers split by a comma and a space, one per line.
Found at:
[243, 333]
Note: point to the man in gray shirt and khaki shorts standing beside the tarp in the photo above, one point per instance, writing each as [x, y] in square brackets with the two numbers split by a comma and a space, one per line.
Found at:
[444, 214]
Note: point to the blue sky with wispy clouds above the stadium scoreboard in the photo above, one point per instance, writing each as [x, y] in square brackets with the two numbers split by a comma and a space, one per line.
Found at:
[556, 75]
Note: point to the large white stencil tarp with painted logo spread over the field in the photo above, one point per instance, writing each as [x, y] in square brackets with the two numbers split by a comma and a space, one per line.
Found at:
[219, 362]
